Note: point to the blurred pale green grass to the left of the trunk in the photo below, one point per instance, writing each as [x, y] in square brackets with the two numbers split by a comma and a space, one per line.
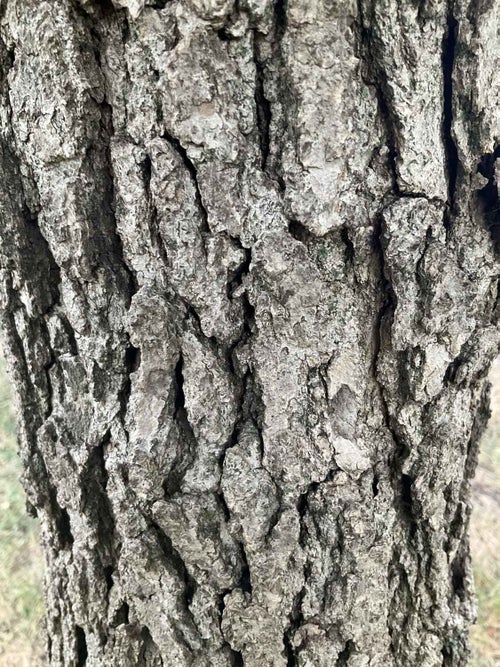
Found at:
[21, 563]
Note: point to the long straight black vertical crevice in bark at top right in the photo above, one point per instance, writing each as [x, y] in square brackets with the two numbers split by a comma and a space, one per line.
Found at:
[451, 153]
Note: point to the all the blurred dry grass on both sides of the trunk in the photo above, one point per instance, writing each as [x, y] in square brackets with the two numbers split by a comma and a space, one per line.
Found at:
[21, 564]
